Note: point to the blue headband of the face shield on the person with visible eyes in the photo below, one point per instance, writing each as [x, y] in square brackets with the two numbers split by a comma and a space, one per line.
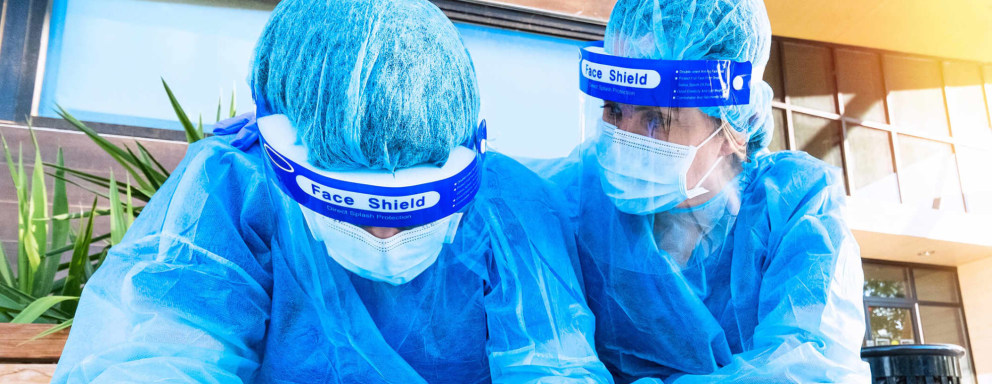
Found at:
[663, 83]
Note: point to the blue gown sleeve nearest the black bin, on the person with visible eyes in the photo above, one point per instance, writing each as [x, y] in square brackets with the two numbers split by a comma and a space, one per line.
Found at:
[808, 302]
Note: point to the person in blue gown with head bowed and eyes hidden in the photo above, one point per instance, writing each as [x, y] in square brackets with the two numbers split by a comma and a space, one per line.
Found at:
[225, 277]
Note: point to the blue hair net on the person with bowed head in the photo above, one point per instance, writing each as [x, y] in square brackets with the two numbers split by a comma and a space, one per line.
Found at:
[373, 84]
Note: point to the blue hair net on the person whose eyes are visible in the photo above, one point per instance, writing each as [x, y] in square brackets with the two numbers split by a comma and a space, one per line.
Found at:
[735, 30]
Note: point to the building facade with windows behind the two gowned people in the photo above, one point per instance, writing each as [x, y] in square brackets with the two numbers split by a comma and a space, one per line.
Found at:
[896, 95]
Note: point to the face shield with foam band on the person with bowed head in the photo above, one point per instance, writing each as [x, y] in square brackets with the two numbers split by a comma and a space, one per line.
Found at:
[424, 202]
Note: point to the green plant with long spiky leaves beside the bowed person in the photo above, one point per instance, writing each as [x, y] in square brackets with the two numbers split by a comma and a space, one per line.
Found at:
[33, 293]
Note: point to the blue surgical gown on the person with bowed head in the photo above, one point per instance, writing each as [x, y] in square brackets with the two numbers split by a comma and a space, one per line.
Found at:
[219, 281]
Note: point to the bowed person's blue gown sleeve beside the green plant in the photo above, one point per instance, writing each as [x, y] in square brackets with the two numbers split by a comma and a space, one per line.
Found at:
[185, 296]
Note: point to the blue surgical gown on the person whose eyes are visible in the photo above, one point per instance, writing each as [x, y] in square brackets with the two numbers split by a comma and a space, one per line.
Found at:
[760, 284]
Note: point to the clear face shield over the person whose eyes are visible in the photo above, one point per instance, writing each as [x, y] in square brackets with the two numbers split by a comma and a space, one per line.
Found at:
[658, 127]
